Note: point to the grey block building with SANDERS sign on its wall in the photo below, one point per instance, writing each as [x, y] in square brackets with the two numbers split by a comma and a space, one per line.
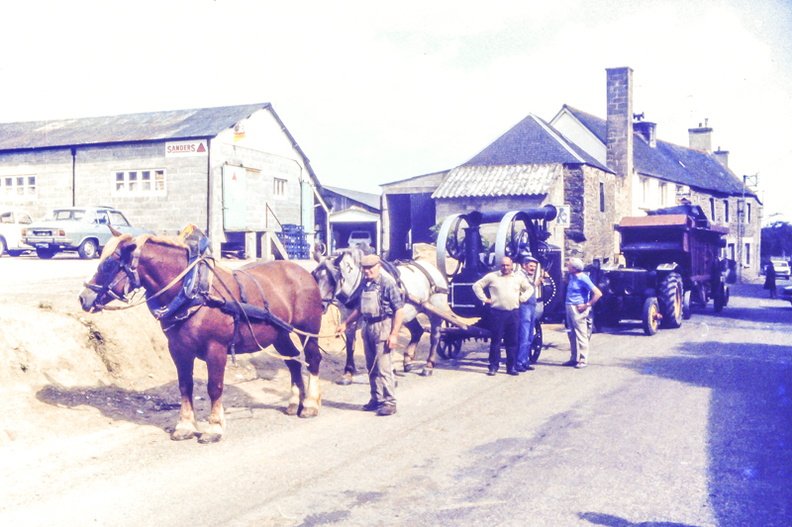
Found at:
[235, 172]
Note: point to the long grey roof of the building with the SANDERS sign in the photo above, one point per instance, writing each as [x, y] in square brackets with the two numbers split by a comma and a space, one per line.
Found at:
[176, 124]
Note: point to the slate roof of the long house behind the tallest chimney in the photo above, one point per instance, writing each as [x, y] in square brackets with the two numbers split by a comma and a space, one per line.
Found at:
[670, 162]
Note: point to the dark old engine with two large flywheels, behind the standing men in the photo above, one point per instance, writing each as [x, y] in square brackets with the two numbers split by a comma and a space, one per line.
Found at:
[469, 255]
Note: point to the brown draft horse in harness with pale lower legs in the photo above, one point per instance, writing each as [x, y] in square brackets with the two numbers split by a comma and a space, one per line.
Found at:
[211, 322]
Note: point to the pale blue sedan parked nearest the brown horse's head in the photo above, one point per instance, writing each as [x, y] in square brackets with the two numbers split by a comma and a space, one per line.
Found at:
[81, 229]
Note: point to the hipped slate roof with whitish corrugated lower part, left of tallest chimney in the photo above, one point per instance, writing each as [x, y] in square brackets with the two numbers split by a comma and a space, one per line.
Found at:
[526, 160]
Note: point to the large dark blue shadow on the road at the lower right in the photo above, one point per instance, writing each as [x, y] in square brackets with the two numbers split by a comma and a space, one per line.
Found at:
[750, 426]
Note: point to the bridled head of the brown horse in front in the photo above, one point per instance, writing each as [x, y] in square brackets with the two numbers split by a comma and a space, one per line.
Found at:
[116, 276]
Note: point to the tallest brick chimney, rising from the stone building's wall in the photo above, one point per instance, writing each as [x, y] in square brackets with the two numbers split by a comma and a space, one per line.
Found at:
[620, 121]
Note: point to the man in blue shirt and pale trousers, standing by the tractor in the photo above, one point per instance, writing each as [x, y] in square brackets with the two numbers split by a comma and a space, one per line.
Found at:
[581, 295]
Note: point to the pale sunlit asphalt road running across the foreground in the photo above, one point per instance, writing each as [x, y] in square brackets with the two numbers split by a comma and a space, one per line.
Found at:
[690, 427]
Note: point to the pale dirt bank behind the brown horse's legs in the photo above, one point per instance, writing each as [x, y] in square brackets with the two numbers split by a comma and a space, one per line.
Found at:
[110, 367]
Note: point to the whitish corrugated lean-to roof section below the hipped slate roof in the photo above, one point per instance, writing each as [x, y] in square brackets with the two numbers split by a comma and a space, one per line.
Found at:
[498, 180]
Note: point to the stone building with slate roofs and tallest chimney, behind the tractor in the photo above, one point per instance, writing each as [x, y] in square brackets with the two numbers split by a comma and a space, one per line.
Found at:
[600, 170]
